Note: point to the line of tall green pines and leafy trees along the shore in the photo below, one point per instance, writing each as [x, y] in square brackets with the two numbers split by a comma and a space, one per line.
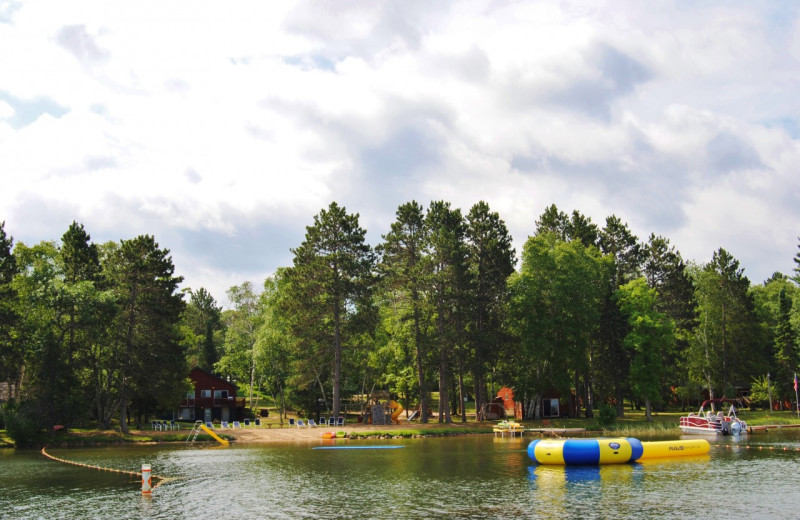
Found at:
[439, 307]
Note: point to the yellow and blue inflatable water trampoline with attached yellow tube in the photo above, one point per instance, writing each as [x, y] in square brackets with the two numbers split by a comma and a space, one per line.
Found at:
[610, 451]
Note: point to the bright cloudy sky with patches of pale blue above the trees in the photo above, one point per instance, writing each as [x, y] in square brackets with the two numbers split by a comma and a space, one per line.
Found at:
[222, 128]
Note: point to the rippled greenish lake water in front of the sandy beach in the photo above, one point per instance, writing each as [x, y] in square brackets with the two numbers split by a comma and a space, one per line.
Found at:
[462, 477]
